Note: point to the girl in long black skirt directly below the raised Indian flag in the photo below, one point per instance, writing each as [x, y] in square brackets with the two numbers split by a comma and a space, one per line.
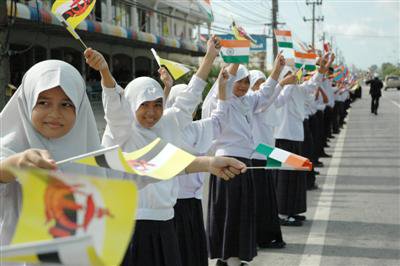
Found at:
[231, 213]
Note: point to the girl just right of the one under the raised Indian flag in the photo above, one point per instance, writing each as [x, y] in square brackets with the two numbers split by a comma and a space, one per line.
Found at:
[269, 234]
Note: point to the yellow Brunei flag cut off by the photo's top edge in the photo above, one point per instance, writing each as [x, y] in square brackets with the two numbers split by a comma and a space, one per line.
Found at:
[72, 12]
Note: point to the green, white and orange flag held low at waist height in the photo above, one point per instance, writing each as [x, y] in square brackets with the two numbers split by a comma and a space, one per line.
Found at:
[283, 160]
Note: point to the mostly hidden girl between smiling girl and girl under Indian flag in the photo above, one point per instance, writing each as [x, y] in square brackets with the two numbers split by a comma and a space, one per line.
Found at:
[188, 218]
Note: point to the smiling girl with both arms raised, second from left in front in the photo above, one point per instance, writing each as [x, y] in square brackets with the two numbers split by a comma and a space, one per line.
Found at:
[135, 117]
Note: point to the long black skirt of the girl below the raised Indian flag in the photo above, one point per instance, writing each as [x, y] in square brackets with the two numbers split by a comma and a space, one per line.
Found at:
[231, 220]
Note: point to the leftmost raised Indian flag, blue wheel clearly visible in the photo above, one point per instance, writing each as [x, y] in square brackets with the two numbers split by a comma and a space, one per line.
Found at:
[235, 51]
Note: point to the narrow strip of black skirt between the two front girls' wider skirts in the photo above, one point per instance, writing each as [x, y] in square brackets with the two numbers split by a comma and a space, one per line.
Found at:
[191, 233]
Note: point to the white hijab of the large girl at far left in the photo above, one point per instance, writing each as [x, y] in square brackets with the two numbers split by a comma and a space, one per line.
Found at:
[18, 133]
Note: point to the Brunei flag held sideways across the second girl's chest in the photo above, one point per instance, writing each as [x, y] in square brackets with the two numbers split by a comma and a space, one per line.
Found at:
[159, 159]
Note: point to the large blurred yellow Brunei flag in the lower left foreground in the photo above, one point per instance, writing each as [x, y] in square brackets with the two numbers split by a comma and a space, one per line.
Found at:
[72, 219]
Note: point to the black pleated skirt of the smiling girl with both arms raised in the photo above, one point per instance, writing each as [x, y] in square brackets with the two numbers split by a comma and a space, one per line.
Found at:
[154, 243]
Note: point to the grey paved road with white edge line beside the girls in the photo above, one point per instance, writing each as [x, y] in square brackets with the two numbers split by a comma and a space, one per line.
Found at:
[354, 218]
